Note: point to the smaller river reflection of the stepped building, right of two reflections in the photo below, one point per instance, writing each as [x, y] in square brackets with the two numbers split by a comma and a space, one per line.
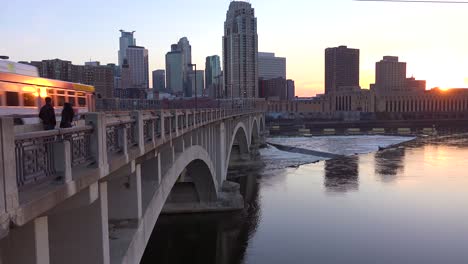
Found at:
[389, 162]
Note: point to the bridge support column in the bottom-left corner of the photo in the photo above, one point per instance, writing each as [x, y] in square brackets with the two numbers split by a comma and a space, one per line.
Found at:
[28, 244]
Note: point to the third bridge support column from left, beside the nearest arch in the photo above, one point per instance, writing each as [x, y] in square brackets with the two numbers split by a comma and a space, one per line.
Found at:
[124, 196]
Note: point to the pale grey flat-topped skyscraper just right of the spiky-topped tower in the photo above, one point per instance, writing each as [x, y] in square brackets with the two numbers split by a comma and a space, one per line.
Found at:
[138, 62]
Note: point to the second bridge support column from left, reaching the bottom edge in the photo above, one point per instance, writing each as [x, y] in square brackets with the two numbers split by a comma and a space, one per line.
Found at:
[81, 234]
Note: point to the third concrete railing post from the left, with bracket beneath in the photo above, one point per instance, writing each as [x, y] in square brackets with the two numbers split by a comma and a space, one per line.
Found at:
[98, 141]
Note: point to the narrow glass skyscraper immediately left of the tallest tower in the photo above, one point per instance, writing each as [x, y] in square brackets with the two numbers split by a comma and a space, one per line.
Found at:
[212, 76]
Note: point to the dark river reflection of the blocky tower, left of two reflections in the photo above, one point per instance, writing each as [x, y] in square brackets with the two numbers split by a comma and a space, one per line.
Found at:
[342, 174]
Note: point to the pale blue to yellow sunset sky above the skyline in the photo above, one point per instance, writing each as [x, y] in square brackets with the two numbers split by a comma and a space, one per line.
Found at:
[431, 38]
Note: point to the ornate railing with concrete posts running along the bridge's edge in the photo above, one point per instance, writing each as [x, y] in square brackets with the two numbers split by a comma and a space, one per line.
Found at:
[36, 162]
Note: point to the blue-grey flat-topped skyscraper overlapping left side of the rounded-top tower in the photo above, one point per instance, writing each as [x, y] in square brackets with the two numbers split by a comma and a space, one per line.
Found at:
[175, 72]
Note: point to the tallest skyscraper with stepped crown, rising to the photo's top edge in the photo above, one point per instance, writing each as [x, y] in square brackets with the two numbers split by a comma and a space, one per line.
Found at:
[240, 51]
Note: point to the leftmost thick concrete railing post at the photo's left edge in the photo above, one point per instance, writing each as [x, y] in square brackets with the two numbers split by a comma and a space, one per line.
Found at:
[9, 197]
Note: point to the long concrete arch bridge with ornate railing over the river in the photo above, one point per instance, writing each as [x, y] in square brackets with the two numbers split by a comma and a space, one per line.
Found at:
[93, 193]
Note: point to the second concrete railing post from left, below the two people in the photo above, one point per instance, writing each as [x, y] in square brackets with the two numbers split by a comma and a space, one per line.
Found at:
[62, 159]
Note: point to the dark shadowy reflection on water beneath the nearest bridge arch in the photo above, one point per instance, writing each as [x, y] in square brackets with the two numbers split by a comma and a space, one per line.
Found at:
[206, 238]
